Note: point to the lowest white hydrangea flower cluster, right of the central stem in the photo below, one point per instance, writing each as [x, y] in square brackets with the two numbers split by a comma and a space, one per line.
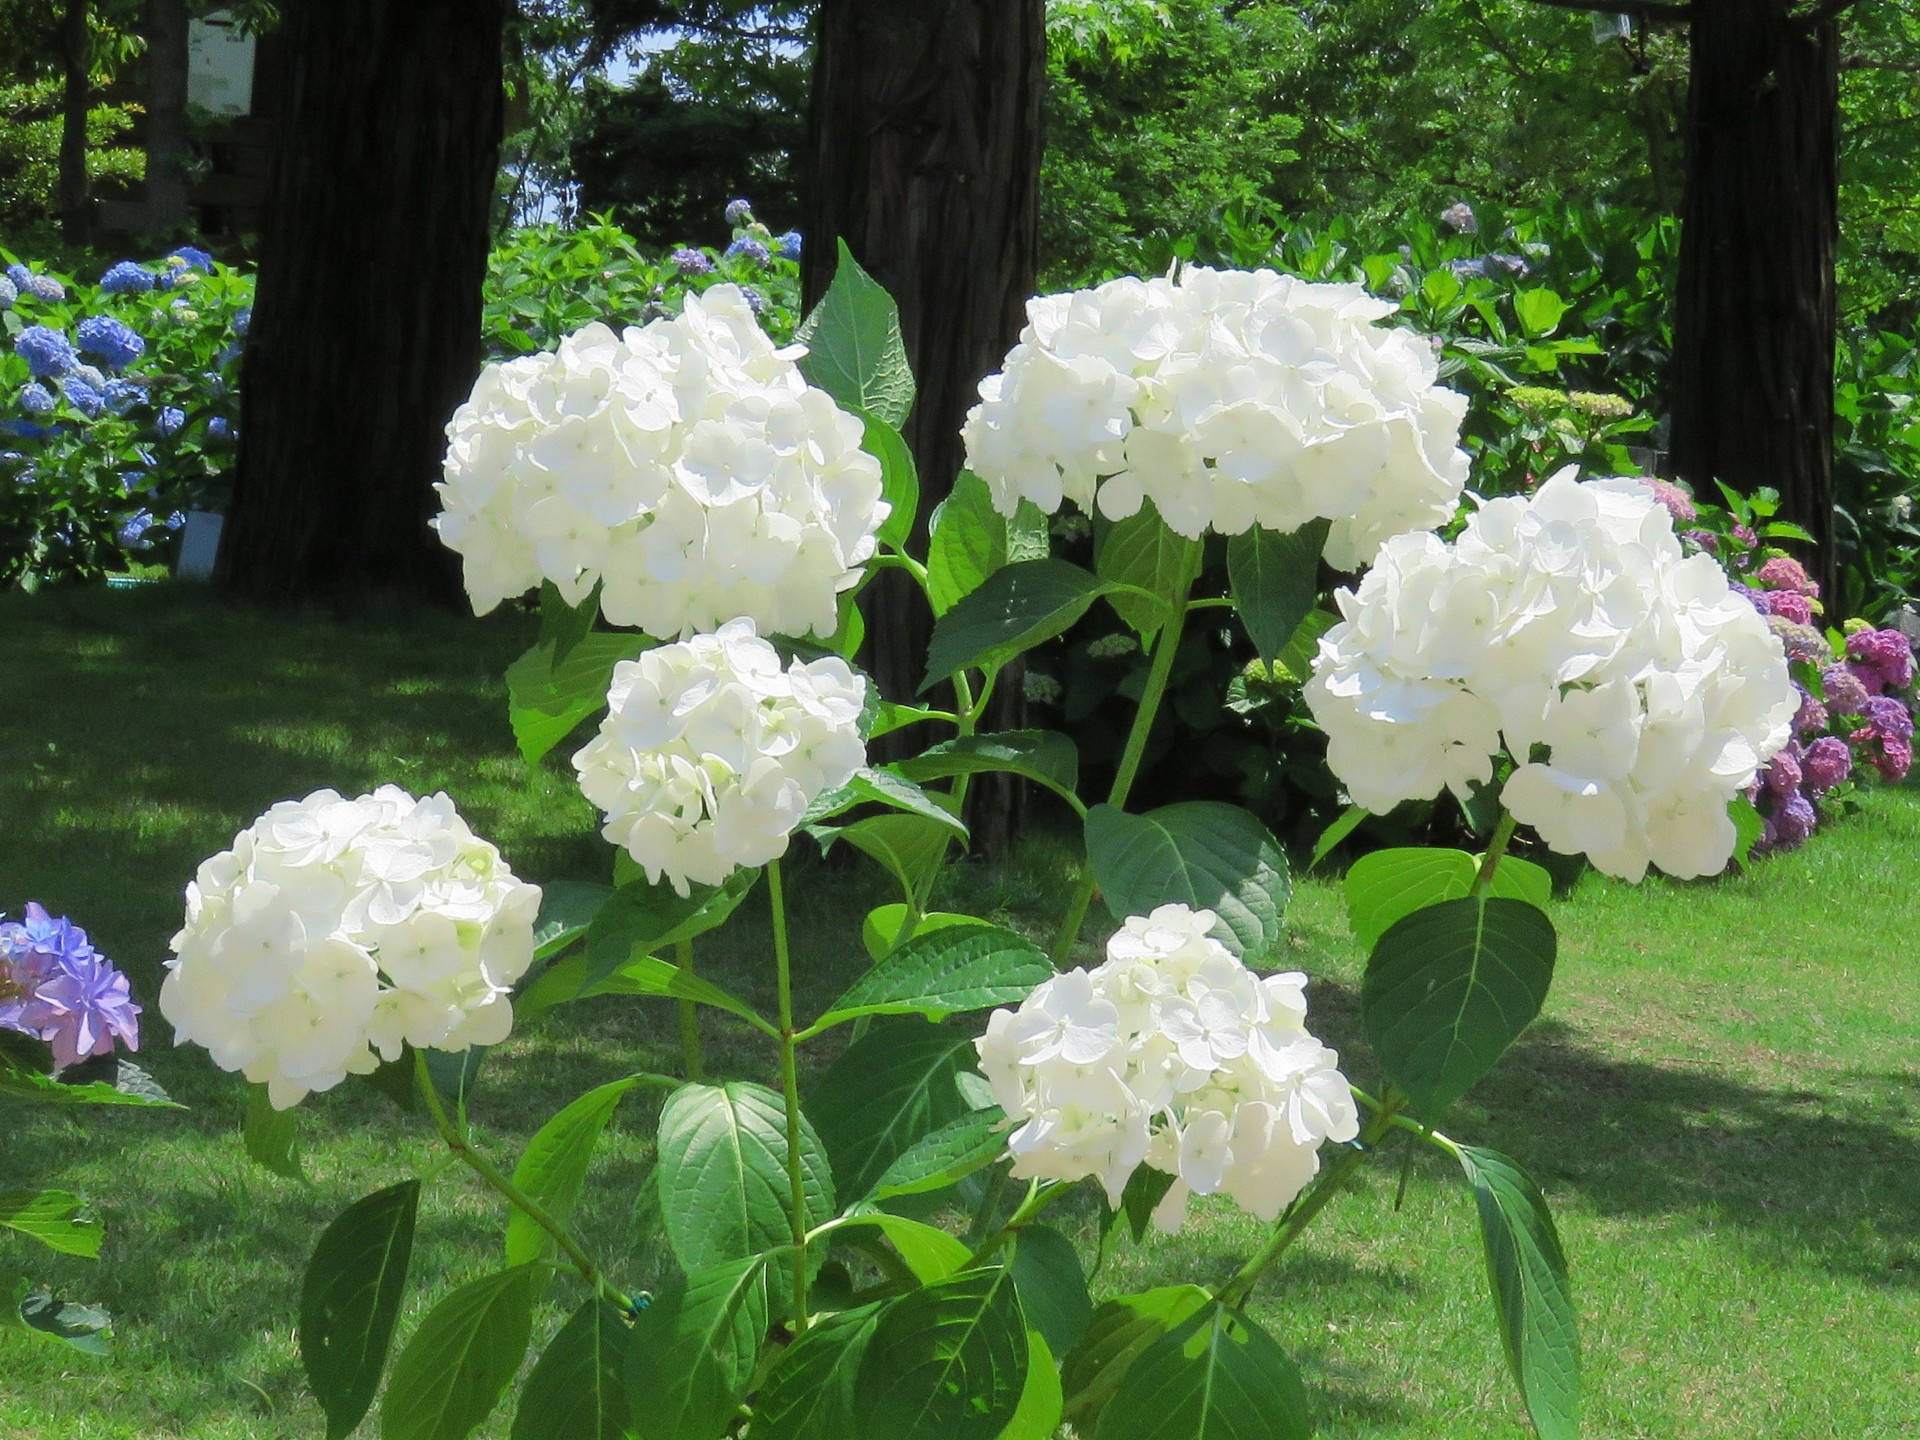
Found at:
[1174, 1055]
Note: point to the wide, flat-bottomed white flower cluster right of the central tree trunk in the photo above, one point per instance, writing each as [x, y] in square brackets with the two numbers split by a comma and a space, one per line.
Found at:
[1230, 398]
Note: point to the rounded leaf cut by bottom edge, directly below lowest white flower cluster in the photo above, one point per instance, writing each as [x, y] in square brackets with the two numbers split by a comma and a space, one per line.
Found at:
[1216, 1378]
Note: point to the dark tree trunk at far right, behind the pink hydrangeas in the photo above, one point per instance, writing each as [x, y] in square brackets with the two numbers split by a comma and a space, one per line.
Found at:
[1754, 325]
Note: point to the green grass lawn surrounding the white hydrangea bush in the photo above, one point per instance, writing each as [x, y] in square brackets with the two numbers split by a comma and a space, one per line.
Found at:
[1719, 1103]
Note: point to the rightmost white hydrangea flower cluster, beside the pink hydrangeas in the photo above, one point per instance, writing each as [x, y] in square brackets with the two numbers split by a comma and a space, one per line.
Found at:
[1637, 694]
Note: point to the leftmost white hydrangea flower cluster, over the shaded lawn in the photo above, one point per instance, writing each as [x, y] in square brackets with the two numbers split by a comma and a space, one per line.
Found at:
[335, 932]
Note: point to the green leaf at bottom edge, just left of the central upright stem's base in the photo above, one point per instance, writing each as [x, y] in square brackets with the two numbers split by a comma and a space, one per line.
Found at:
[696, 1349]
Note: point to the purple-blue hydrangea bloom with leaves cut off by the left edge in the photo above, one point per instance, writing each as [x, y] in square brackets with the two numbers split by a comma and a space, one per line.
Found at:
[66, 1019]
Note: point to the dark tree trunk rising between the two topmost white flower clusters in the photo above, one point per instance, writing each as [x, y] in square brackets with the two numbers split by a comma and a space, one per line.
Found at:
[924, 156]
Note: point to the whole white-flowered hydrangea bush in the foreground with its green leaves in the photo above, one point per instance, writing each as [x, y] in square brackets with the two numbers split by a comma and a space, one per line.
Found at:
[1562, 660]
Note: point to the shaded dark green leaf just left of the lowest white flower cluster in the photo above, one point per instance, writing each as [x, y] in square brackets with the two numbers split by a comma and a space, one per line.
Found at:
[886, 1092]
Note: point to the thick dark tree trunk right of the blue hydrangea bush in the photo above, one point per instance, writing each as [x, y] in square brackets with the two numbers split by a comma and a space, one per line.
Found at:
[368, 318]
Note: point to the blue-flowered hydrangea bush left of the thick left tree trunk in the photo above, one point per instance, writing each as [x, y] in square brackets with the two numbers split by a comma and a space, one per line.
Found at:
[120, 406]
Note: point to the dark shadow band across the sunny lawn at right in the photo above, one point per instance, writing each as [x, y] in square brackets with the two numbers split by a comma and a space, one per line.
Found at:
[1823, 1176]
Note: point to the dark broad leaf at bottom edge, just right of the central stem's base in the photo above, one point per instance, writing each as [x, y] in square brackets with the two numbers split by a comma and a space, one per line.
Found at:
[948, 1362]
